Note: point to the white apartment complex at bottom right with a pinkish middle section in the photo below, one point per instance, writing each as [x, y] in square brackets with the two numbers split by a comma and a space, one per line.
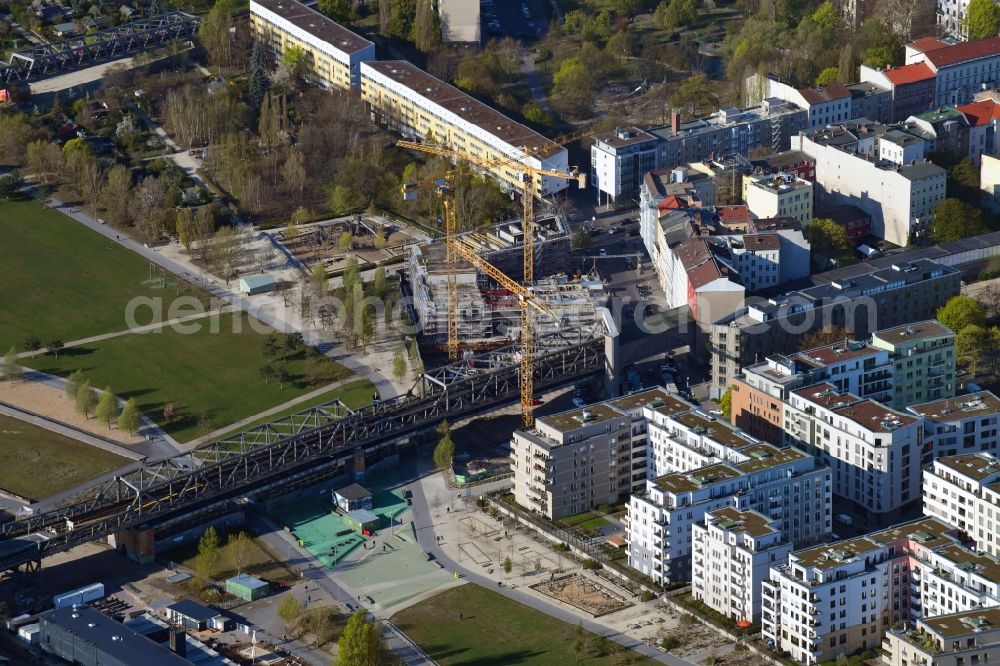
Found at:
[842, 597]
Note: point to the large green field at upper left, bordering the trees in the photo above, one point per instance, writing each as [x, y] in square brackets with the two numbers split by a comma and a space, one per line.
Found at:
[63, 281]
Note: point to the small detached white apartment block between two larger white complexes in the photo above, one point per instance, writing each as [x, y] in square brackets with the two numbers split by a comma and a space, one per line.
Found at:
[732, 555]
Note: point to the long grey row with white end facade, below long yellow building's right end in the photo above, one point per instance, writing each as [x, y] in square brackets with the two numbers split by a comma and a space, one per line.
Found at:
[620, 159]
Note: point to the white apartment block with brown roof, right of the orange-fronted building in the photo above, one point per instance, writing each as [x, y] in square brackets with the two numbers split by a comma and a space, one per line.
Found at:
[874, 451]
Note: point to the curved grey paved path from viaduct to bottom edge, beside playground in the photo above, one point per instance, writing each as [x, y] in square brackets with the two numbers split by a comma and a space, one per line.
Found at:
[425, 529]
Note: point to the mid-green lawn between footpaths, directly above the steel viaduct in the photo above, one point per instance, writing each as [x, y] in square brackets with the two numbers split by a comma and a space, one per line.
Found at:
[203, 373]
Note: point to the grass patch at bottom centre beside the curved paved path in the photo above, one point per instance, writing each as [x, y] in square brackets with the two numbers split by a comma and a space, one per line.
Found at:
[495, 630]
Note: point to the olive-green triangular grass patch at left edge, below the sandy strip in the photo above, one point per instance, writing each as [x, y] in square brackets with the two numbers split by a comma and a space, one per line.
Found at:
[36, 463]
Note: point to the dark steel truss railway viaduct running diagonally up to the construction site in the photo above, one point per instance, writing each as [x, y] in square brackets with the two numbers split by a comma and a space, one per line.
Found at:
[279, 456]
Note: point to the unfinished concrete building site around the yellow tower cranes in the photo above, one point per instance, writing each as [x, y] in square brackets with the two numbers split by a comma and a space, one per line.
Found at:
[489, 316]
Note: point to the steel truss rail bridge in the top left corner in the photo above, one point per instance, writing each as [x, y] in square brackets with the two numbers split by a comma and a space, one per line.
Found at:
[55, 58]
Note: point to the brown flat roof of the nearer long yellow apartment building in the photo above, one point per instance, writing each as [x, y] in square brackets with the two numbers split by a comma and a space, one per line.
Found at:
[468, 108]
